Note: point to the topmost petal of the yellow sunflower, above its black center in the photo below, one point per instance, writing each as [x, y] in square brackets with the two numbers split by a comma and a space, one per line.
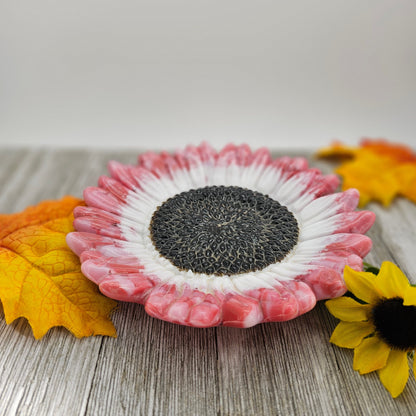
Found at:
[391, 281]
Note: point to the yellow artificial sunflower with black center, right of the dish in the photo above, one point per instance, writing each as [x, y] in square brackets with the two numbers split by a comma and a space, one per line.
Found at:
[380, 325]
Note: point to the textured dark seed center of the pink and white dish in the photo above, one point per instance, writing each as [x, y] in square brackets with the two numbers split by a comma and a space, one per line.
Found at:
[223, 230]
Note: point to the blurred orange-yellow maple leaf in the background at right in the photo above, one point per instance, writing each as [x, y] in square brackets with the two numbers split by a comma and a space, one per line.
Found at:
[378, 169]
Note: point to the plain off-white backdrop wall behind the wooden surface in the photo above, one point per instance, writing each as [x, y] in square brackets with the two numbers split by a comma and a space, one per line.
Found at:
[161, 74]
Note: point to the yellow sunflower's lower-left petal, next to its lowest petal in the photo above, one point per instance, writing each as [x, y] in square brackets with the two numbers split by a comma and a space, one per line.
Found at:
[370, 355]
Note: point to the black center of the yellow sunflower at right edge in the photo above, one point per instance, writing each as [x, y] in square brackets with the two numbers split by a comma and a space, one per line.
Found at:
[395, 323]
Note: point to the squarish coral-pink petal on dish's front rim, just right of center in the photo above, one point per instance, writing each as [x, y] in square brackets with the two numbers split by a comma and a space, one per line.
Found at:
[241, 311]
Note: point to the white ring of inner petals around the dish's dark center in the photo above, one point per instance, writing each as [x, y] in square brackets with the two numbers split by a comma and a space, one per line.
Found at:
[140, 205]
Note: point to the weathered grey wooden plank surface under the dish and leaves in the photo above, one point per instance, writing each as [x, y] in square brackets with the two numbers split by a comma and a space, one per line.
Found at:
[155, 367]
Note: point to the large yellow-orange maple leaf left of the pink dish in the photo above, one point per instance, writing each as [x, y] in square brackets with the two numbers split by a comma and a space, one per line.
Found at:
[40, 277]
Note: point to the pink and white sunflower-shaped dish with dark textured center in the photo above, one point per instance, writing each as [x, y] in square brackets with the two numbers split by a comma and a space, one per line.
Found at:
[205, 238]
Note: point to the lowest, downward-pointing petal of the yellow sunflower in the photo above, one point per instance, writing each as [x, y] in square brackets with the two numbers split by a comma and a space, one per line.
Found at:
[395, 374]
